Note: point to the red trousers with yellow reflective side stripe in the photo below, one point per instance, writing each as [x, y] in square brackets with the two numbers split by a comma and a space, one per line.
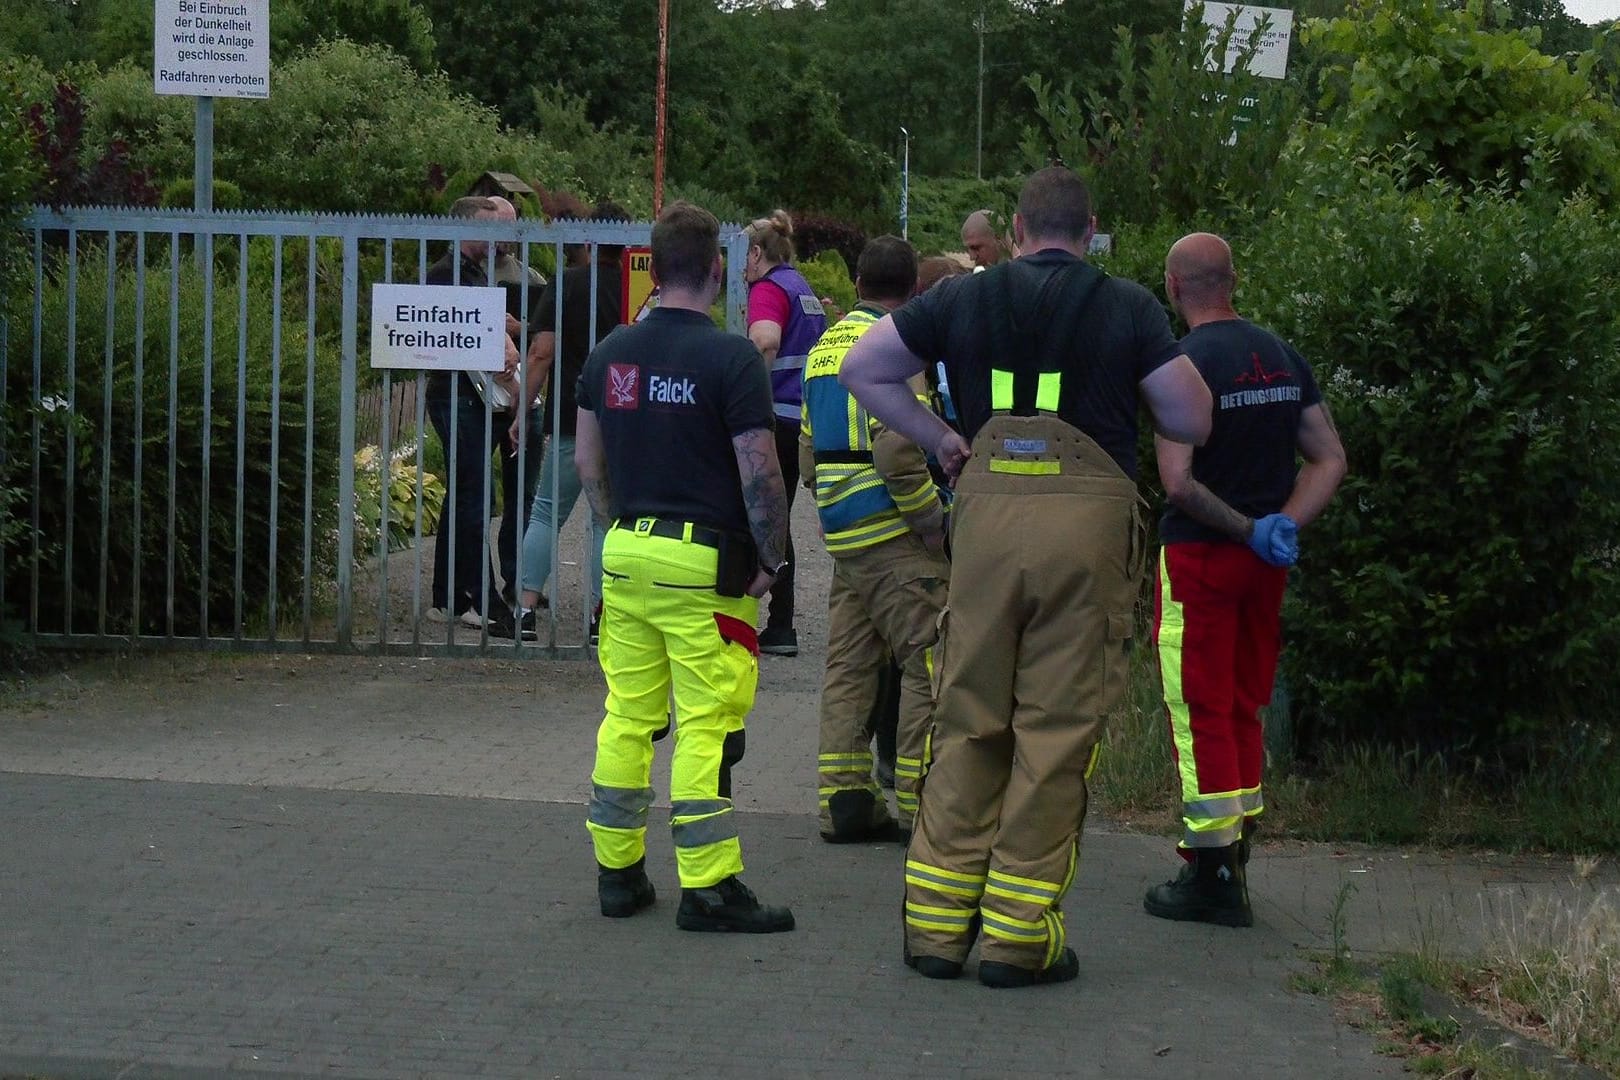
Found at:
[1219, 632]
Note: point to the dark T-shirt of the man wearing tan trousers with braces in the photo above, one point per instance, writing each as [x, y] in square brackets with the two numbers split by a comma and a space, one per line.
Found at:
[1125, 338]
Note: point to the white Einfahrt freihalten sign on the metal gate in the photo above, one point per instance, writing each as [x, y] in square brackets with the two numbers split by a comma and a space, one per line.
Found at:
[438, 328]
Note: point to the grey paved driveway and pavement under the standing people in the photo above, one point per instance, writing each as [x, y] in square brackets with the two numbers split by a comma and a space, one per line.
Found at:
[378, 869]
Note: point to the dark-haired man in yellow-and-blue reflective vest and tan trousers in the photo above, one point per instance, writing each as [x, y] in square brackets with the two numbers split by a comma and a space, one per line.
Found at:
[884, 525]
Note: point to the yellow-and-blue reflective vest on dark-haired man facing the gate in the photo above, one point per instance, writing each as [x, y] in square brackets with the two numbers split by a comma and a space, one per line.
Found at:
[853, 501]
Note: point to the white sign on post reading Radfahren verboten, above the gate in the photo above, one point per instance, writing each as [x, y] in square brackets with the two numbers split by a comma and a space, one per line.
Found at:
[211, 48]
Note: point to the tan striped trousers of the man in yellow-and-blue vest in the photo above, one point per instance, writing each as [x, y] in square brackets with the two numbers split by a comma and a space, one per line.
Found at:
[885, 602]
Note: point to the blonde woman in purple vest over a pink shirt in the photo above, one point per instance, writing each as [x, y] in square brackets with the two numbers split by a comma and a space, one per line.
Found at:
[785, 323]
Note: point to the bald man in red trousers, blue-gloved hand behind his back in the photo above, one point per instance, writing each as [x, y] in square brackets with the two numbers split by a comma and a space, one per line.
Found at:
[1230, 534]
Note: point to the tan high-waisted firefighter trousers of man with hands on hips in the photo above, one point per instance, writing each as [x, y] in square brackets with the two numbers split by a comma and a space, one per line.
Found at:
[1047, 548]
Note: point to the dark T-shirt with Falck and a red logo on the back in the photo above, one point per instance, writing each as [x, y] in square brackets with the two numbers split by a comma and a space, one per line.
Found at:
[670, 394]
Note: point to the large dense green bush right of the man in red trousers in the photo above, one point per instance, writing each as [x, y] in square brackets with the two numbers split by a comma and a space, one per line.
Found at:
[1462, 590]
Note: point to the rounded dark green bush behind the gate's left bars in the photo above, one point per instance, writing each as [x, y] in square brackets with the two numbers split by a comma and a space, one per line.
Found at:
[106, 430]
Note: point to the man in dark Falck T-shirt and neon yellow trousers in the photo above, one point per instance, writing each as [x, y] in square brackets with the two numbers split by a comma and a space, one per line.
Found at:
[678, 459]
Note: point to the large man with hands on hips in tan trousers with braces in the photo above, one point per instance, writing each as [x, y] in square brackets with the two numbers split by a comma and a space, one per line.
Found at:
[1047, 360]
